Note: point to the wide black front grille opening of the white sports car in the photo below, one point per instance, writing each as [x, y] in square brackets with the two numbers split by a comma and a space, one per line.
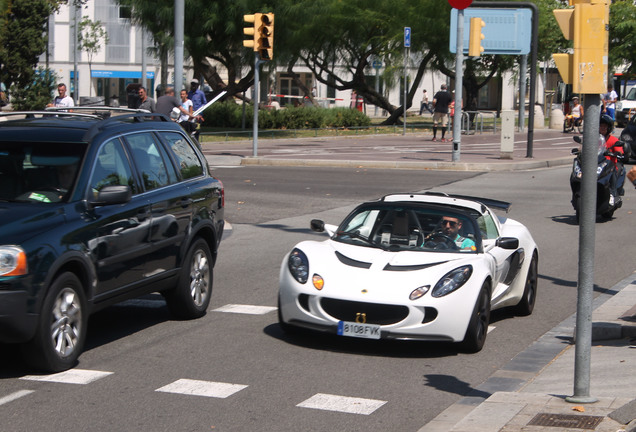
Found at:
[381, 314]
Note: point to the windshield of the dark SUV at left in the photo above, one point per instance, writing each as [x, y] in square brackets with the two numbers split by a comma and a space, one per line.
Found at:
[38, 172]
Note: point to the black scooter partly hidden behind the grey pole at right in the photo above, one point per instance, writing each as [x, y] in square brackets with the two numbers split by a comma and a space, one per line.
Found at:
[607, 172]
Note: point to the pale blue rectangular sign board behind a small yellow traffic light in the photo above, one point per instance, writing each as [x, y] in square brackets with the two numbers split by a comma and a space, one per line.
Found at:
[507, 31]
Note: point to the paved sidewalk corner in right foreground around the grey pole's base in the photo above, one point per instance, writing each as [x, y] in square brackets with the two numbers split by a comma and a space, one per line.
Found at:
[528, 394]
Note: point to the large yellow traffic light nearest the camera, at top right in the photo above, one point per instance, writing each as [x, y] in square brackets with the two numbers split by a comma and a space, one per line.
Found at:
[588, 26]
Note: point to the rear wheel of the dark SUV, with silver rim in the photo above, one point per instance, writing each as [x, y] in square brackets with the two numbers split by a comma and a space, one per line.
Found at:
[191, 297]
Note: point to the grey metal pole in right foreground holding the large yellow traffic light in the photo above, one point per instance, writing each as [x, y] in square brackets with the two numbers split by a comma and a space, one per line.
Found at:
[587, 232]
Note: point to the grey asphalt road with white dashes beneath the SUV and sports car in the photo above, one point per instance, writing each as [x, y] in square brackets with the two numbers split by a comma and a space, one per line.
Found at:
[264, 380]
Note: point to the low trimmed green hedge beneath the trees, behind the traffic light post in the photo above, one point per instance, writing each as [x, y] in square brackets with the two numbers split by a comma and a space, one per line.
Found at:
[230, 115]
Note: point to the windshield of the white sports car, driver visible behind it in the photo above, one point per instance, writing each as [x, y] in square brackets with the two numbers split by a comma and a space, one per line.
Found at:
[399, 227]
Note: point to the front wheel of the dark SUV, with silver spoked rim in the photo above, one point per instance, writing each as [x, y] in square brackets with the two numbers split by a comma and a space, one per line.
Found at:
[61, 330]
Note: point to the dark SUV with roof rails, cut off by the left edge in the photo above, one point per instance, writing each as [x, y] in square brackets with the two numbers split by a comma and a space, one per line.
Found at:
[96, 209]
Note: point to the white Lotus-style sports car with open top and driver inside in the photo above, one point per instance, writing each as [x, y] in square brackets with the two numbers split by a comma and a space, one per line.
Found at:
[411, 266]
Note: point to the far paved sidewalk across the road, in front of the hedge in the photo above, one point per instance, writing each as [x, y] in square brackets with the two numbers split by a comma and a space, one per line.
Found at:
[479, 152]
